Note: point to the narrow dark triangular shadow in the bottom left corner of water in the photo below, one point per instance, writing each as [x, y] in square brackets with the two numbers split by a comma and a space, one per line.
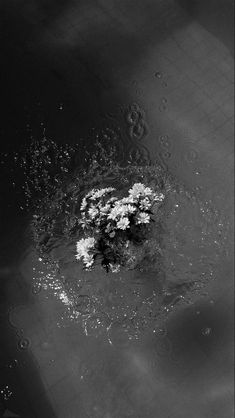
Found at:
[19, 372]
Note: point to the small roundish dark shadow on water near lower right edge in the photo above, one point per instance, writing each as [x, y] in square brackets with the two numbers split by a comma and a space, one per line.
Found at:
[204, 328]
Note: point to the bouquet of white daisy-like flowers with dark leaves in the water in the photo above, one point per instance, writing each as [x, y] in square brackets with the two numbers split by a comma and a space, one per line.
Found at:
[113, 226]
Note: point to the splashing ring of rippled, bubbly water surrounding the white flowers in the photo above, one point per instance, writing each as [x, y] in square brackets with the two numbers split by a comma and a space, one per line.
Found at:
[181, 255]
